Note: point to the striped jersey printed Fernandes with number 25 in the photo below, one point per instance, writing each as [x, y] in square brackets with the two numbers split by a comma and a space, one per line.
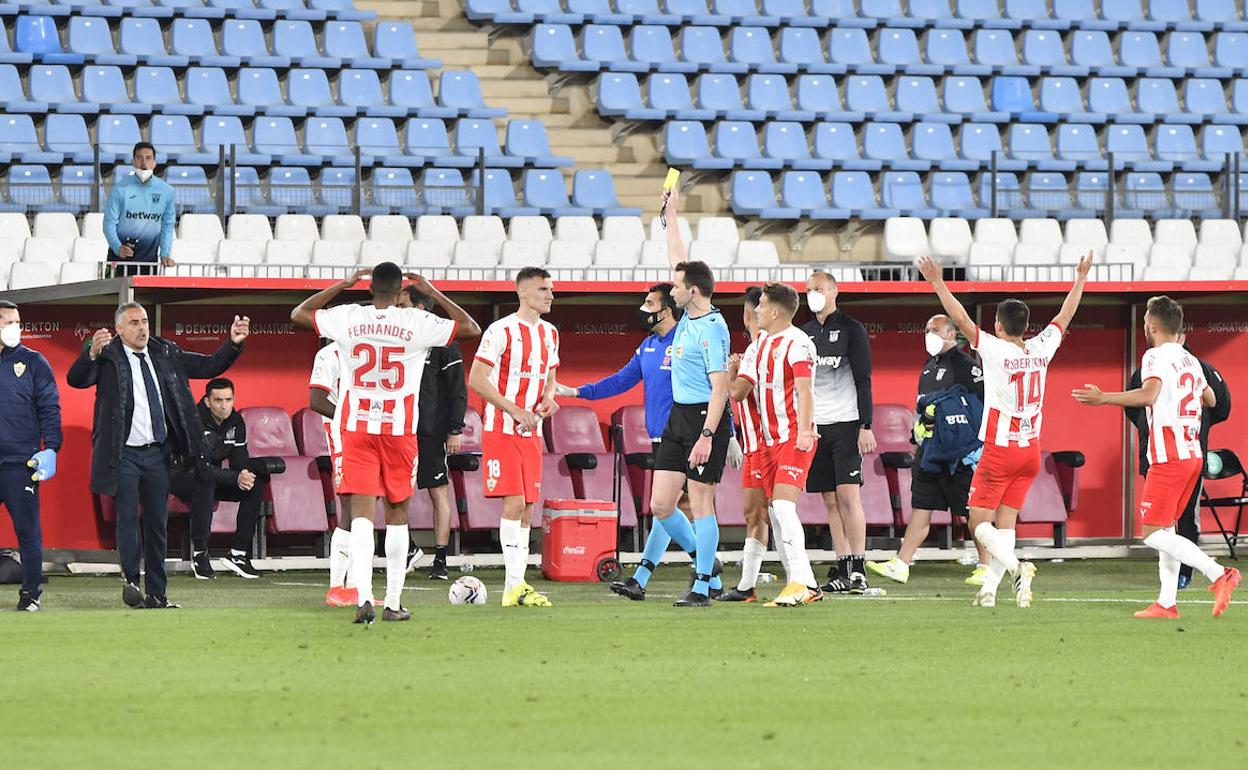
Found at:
[383, 358]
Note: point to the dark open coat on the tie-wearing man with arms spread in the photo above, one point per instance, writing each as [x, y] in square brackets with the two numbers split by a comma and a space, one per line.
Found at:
[115, 407]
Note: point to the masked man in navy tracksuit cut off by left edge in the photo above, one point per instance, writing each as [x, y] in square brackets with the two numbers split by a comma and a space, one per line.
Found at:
[31, 437]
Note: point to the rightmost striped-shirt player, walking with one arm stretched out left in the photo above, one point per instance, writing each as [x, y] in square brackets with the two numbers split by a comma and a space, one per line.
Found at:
[1172, 392]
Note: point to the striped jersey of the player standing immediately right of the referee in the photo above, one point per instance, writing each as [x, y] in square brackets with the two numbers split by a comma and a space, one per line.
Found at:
[782, 359]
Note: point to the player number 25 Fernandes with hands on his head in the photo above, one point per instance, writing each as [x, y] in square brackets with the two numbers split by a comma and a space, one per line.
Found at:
[383, 353]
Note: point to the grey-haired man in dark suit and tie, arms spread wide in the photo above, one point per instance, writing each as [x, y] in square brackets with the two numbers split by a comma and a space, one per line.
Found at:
[145, 422]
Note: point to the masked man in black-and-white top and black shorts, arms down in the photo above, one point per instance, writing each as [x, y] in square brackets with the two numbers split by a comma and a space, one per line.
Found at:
[843, 415]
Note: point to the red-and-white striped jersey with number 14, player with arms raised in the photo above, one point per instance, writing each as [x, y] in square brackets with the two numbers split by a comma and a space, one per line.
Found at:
[1014, 386]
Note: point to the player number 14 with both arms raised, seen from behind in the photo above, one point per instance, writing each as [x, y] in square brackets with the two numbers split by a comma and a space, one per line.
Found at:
[1014, 396]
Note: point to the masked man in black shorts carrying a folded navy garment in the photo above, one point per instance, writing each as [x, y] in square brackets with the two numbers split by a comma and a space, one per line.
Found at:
[947, 366]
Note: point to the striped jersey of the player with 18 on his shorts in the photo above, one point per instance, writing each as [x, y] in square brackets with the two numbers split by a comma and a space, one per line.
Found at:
[521, 358]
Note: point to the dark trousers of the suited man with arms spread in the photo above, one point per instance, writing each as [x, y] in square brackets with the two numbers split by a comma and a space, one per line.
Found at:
[143, 482]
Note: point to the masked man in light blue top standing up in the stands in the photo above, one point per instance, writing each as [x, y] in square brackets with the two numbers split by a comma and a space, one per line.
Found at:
[140, 217]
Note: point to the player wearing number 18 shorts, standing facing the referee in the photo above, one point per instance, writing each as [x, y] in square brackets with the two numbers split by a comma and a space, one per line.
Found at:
[515, 374]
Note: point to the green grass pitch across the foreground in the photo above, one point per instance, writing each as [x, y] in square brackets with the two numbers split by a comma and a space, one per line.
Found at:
[259, 673]
